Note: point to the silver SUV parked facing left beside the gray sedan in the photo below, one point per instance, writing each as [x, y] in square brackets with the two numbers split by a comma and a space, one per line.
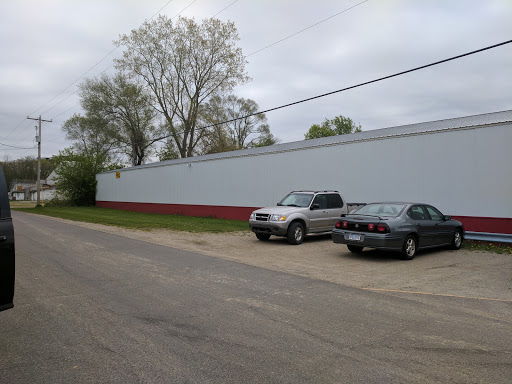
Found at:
[299, 213]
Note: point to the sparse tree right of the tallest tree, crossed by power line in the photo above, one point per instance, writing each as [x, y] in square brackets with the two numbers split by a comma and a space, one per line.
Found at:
[235, 125]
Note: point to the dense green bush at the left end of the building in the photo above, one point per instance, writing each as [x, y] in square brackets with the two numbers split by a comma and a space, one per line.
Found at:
[76, 175]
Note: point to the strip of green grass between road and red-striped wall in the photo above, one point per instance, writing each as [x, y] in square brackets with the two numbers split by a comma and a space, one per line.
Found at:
[137, 220]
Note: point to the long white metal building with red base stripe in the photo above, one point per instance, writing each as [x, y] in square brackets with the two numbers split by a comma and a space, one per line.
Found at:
[463, 166]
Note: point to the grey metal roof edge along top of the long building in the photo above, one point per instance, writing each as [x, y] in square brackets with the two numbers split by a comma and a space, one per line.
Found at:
[404, 130]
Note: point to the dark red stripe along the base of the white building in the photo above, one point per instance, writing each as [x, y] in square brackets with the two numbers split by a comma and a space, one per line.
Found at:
[471, 223]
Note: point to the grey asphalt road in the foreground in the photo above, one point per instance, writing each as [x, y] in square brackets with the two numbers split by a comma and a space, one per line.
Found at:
[96, 307]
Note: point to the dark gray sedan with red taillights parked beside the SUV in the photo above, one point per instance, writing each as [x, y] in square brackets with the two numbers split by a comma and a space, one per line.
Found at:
[403, 227]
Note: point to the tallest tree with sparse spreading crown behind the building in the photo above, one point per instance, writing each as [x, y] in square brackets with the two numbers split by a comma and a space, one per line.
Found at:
[184, 64]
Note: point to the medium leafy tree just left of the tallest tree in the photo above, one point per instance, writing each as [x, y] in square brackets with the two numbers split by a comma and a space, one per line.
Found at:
[125, 110]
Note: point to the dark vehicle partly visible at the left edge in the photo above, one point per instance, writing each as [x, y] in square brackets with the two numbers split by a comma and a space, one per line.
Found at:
[6, 248]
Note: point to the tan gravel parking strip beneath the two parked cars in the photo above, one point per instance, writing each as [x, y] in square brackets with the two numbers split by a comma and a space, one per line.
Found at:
[442, 272]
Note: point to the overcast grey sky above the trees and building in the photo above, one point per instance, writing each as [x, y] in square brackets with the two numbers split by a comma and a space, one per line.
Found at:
[48, 45]
